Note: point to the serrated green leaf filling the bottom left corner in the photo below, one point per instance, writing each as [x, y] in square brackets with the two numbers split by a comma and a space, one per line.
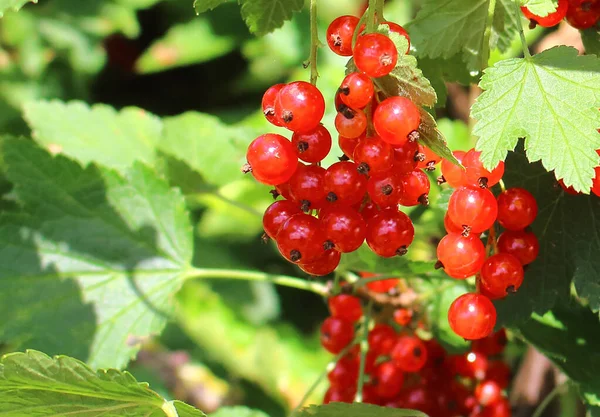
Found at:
[36, 385]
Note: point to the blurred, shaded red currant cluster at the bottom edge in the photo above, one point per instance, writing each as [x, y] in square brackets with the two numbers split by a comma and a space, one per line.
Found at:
[403, 371]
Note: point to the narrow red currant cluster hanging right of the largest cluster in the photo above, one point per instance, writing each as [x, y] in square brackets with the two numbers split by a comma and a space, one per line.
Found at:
[472, 210]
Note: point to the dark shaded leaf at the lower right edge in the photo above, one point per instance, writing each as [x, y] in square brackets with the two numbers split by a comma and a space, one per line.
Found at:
[570, 337]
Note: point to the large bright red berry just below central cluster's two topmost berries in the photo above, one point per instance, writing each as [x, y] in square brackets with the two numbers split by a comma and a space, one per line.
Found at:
[375, 54]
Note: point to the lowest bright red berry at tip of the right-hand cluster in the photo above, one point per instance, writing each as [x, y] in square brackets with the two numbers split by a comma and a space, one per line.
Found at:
[472, 316]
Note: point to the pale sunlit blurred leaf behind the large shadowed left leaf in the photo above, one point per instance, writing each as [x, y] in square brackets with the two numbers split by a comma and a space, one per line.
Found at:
[96, 134]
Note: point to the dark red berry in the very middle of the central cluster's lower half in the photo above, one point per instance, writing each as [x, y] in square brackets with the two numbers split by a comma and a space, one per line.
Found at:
[344, 184]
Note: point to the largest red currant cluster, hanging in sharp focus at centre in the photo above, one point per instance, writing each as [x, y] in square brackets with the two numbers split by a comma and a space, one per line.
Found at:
[327, 212]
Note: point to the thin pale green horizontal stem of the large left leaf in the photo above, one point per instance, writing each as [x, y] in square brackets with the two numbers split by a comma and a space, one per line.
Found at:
[283, 280]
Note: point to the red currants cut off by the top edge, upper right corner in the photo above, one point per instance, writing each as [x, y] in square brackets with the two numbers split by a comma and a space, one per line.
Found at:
[581, 14]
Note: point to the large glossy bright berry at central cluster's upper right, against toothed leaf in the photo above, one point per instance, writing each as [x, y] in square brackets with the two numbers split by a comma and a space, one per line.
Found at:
[395, 118]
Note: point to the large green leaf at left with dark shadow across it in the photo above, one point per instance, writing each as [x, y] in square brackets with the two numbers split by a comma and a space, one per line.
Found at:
[103, 252]
